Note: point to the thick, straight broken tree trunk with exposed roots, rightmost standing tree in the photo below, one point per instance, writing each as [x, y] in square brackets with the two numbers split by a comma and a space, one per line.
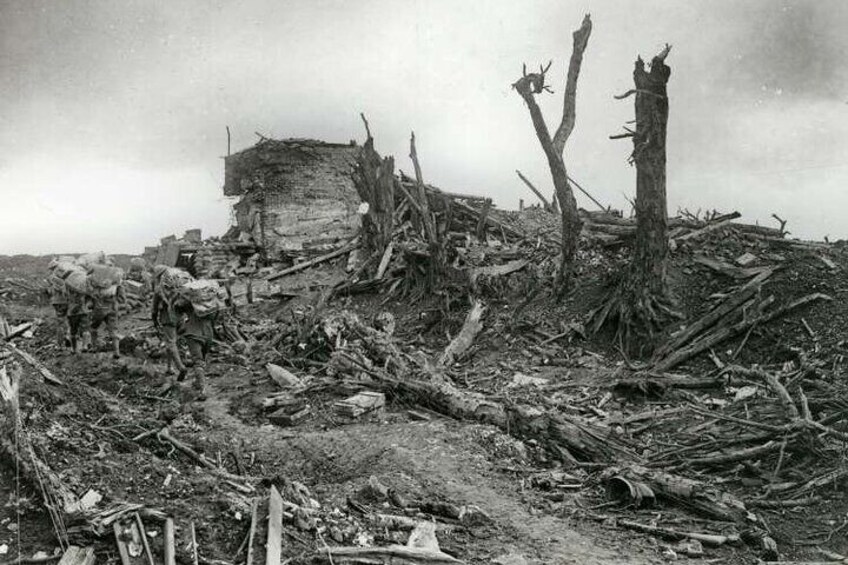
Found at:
[640, 304]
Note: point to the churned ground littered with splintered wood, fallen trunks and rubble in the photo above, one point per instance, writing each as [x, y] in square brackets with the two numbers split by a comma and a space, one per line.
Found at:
[488, 415]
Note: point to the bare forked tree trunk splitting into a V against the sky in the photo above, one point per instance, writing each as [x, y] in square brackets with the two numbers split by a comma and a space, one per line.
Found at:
[528, 86]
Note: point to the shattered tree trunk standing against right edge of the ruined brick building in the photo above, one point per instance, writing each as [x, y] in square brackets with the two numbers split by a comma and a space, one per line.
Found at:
[374, 182]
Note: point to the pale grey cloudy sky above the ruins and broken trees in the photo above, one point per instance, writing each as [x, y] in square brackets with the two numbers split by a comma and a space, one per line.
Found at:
[114, 111]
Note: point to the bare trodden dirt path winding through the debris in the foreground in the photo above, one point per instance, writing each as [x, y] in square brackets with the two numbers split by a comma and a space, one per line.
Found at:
[439, 460]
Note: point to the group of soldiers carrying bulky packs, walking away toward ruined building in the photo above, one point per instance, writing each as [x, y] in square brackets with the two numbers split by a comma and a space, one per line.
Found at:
[88, 293]
